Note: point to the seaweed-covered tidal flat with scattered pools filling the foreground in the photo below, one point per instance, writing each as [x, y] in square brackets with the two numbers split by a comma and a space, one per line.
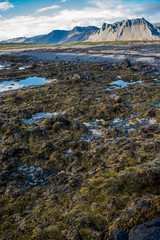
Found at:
[79, 154]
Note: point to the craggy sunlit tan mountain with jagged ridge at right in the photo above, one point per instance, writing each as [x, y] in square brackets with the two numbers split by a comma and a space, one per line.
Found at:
[136, 29]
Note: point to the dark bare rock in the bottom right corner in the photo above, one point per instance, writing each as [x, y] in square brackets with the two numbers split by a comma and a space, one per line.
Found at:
[146, 231]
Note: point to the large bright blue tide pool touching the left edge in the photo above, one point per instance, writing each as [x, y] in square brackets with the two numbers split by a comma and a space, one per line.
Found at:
[30, 81]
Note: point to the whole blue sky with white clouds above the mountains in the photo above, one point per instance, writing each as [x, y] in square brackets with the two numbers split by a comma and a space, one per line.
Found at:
[35, 17]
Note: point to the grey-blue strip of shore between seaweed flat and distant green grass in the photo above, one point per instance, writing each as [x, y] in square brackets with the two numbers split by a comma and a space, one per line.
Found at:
[143, 53]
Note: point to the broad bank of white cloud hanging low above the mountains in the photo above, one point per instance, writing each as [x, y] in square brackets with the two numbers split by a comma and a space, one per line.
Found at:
[95, 15]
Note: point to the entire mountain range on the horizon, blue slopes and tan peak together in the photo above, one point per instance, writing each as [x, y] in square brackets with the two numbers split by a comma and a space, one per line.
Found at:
[135, 29]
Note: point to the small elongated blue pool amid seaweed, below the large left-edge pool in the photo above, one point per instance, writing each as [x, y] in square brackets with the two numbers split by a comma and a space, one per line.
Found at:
[39, 117]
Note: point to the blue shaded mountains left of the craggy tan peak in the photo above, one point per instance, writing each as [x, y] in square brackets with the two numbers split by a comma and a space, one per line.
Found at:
[77, 34]
